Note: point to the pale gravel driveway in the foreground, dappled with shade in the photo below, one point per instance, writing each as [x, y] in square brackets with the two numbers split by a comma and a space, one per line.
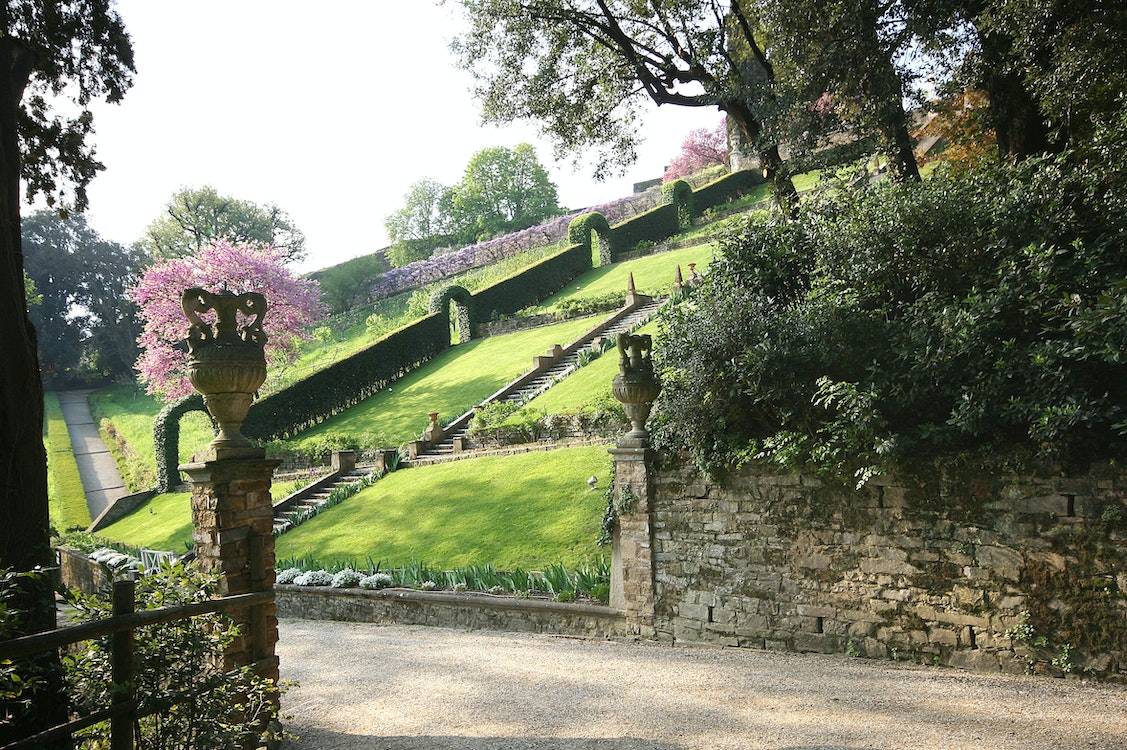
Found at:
[369, 687]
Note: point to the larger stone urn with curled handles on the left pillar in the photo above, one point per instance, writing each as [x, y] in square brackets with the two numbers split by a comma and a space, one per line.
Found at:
[227, 360]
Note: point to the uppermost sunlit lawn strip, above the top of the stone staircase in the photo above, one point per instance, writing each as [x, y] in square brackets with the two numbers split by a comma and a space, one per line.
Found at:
[652, 273]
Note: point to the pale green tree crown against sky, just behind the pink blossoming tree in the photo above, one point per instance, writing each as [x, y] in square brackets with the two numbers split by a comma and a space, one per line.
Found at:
[199, 217]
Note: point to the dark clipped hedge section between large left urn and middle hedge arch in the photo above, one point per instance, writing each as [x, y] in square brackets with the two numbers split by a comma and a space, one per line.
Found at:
[349, 382]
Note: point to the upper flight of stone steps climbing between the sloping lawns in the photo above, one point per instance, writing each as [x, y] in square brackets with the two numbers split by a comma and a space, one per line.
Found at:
[540, 380]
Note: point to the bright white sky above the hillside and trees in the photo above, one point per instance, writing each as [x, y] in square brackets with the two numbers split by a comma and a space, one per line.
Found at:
[330, 110]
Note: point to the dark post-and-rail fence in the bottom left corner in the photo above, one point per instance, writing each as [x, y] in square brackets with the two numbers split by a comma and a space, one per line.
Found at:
[126, 709]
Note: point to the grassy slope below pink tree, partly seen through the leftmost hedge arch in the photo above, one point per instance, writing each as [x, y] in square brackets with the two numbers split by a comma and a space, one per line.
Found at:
[132, 412]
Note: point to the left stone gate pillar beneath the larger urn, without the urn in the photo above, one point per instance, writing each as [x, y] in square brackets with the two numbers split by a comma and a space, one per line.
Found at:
[234, 523]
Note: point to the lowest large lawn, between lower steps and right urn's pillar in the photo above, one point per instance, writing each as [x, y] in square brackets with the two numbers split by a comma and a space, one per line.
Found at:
[527, 510]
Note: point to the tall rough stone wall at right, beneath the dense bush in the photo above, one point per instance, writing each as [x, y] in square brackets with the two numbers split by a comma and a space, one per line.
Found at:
[774, 561]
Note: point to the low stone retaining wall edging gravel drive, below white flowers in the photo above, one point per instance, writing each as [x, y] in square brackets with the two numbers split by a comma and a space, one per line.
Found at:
[445, 610]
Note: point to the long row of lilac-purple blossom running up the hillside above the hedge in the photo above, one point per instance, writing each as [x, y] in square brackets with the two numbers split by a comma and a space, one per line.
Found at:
[445, 266]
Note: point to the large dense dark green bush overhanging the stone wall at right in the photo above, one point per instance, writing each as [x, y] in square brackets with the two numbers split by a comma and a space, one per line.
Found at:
[977, 315]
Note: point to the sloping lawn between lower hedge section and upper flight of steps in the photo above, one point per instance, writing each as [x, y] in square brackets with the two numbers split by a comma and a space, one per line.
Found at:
[450, 384]
